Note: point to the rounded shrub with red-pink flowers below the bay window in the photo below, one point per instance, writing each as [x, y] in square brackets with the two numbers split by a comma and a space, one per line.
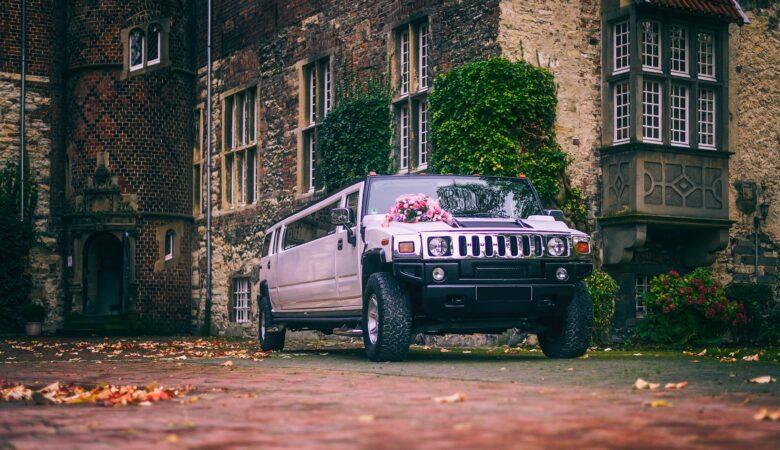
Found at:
[689, 308]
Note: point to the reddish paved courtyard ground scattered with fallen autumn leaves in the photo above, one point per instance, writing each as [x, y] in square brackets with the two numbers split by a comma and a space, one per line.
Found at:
[217, 393]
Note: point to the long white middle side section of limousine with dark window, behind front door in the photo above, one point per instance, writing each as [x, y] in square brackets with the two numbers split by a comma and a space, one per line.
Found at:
[306, 263]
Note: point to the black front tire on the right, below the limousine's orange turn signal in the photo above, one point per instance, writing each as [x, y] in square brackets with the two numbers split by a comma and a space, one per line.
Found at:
[568, 335]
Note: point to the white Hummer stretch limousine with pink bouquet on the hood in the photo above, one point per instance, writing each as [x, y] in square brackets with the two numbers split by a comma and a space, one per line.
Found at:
[392, 256]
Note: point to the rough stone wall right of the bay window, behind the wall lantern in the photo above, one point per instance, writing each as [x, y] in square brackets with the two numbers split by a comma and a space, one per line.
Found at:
[755, 131]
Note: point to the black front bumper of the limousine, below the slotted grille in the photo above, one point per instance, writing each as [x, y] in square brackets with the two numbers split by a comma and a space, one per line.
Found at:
[491, 289]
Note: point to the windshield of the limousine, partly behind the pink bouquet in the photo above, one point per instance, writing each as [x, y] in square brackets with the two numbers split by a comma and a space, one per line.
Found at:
[462, 196]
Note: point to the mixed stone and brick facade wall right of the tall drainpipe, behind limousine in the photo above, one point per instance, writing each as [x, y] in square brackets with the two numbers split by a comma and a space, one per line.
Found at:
[262, 42]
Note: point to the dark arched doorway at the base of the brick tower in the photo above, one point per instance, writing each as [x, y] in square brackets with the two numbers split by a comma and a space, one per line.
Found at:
[103, 275]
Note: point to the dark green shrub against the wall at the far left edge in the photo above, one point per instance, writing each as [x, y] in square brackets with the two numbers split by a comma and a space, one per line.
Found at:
[17, 238]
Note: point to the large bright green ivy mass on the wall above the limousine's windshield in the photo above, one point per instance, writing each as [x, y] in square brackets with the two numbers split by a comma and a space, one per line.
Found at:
[497, 117]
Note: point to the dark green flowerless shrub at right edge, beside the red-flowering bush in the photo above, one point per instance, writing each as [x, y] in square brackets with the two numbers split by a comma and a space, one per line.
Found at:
[763, 312]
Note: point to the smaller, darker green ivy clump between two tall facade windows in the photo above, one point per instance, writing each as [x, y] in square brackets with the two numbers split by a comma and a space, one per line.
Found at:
[355, 137]
